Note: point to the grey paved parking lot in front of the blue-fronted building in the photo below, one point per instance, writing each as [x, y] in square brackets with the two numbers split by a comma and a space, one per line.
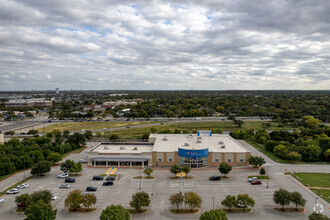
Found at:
[162, 187]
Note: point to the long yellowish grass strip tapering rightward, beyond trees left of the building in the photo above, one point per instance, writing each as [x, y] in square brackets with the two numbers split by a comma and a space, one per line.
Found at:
[78, 126]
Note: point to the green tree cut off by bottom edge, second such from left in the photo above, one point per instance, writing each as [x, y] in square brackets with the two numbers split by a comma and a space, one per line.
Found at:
[115, 212]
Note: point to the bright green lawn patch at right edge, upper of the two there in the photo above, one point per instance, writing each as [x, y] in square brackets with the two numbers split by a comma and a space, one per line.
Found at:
[313, 179]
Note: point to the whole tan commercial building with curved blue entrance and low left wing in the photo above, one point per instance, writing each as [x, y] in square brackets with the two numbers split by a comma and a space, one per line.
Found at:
[203, 149]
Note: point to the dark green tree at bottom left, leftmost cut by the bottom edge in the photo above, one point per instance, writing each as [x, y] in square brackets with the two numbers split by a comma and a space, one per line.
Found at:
[40, 211]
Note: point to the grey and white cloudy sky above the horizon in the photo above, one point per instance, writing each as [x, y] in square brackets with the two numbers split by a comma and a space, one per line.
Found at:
[217, 44]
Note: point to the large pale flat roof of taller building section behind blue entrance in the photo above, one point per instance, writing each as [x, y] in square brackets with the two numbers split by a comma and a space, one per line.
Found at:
[218, 143]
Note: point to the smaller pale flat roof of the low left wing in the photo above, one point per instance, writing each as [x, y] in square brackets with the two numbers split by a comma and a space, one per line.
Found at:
[120, 148]
